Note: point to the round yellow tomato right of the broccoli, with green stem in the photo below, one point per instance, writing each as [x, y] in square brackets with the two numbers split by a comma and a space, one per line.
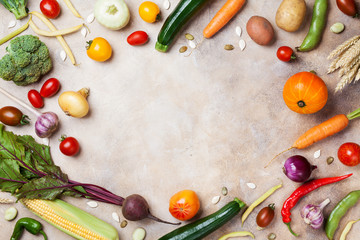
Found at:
[99, 49]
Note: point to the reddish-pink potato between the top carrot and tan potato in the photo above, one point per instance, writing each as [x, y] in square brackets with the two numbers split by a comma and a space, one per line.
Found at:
[260, 30]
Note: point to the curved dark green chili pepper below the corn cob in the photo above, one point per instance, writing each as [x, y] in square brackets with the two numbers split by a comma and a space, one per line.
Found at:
[31, 225]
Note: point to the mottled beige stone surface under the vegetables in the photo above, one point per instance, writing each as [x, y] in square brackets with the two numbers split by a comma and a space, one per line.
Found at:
[161, 123]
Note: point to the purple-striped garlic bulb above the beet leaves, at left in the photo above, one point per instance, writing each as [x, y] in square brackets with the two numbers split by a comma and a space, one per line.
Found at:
[46, 124]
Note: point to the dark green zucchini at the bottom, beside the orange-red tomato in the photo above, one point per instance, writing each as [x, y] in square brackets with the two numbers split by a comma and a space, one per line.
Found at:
[204, 226]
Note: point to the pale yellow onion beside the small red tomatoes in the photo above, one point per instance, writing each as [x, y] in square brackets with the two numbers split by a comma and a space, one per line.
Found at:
[74, 103]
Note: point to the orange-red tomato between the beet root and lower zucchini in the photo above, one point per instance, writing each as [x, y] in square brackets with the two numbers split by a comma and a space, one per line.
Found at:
[184, 205]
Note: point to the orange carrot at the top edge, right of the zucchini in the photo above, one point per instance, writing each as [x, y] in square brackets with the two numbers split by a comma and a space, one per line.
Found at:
[222, 17]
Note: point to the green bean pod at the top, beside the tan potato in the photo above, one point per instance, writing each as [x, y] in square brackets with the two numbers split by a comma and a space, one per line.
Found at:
[318, 22]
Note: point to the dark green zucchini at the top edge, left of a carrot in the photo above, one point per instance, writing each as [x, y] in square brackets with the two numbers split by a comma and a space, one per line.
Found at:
[176, 20]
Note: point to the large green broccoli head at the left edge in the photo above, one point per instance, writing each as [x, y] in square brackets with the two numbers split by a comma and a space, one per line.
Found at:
[27, 60]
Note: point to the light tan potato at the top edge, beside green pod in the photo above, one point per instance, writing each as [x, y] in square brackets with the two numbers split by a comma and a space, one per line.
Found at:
[290, 15]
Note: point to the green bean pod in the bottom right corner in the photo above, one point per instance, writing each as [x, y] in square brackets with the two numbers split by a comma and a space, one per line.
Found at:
[339, 211]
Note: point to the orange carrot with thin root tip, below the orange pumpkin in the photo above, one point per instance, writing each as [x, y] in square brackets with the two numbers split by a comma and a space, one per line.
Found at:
[323, 130]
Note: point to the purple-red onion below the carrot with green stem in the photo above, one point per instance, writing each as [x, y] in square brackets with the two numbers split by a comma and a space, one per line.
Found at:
[298, 169]
